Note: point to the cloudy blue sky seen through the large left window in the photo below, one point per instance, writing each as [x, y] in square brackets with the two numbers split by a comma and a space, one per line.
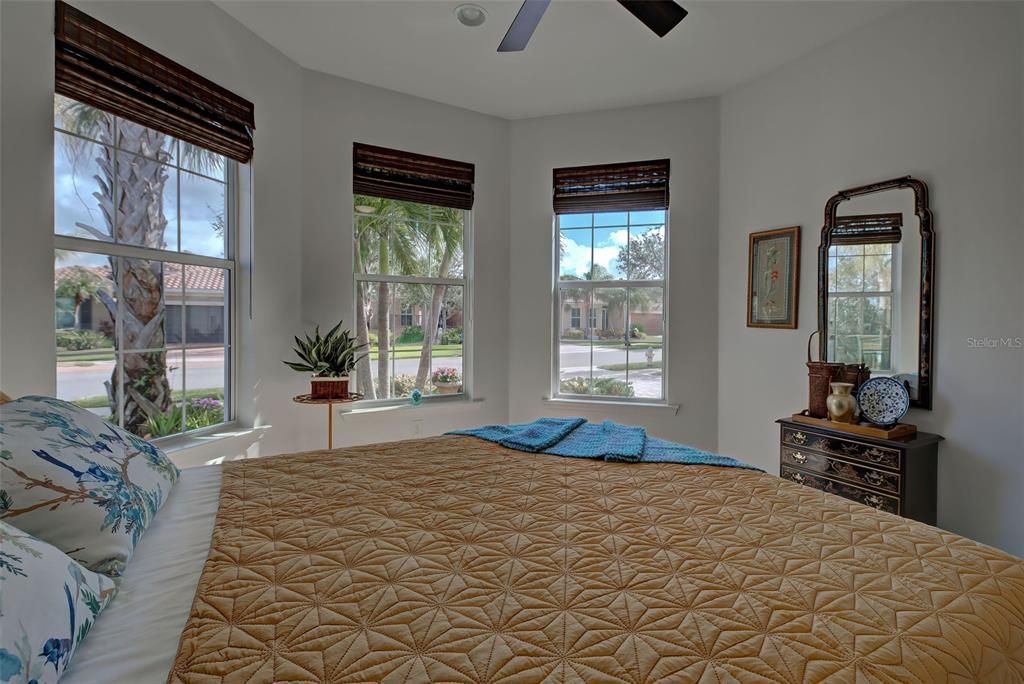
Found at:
[201, 199]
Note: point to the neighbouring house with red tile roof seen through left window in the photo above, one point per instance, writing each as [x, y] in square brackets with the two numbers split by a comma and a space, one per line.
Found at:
[199, 293]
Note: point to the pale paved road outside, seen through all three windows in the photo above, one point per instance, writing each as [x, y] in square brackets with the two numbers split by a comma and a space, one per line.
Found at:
[205, 370]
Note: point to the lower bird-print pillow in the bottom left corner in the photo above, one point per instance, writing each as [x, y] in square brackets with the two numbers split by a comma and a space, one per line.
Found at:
[49, 604]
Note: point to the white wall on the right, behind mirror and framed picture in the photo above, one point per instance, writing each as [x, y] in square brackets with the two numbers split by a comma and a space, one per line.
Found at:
[934, 92]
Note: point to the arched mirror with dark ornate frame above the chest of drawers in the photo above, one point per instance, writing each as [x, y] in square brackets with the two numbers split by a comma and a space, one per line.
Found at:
[876, 283]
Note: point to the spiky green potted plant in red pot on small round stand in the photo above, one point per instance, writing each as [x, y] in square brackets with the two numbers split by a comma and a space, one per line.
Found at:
[331, 359]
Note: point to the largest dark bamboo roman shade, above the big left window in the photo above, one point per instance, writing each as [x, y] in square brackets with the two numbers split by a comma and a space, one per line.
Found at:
[101, 67]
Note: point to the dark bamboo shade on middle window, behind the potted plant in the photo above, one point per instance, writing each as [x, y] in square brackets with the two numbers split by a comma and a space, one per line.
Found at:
[404, 176]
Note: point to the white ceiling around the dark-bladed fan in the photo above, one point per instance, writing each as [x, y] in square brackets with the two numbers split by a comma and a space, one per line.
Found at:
[586, 55]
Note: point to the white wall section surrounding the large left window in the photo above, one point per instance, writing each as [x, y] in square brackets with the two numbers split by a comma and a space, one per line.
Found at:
[205, 39]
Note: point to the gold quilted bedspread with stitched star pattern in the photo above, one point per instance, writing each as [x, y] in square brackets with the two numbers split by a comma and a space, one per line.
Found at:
[453, 560]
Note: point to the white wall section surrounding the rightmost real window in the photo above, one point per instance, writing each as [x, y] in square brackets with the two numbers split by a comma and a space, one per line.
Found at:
[686, 133]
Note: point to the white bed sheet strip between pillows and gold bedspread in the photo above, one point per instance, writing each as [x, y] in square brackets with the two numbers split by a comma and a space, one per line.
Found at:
[136, 639]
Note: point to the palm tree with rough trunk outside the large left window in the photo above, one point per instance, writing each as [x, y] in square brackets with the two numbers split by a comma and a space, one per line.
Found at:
[131, 197]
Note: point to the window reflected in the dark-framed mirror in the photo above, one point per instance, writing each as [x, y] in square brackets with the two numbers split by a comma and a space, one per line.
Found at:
[862, 304]
